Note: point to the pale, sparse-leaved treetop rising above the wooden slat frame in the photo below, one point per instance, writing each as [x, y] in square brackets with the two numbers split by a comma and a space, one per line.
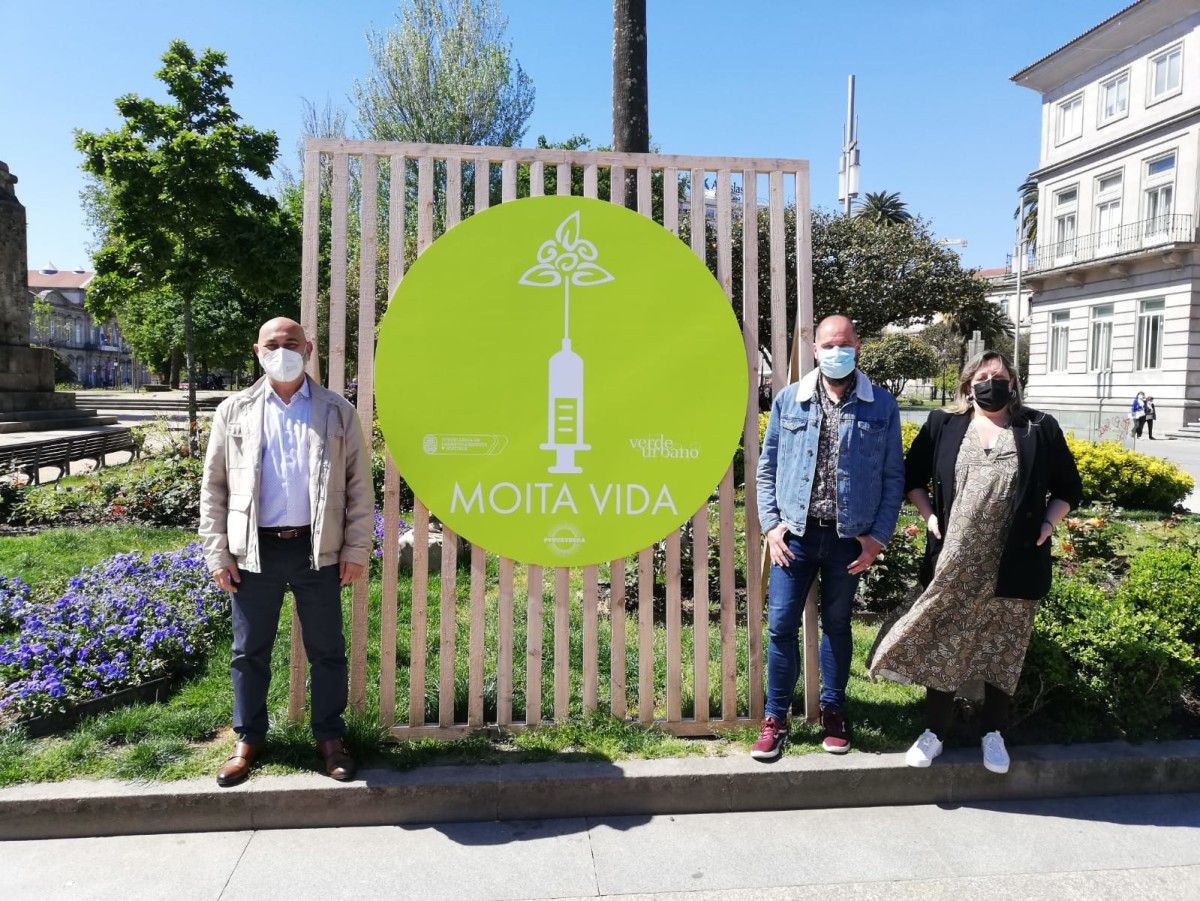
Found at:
[445, 75]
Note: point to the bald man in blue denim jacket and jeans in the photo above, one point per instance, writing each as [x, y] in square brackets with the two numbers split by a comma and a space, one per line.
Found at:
[831, 482]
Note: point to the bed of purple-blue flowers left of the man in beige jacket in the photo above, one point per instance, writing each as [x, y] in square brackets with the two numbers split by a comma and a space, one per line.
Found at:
[124, 622]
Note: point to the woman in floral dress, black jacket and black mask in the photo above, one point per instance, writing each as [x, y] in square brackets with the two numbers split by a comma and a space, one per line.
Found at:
[1003, 478]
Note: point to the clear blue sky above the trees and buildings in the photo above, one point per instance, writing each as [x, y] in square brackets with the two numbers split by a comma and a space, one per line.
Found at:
[940, 122]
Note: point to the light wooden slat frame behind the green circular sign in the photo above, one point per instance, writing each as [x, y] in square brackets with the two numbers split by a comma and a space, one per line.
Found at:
[781, 295]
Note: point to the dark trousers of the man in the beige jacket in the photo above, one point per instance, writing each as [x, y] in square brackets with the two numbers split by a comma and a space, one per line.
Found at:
[256, 621]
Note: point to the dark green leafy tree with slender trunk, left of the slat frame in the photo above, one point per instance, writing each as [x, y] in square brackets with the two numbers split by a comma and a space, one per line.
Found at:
[179, 208]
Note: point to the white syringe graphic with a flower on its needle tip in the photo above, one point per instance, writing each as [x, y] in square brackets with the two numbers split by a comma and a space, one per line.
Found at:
[565, 261]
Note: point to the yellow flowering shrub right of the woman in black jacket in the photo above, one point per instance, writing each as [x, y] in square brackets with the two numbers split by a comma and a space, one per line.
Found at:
[1125, 478]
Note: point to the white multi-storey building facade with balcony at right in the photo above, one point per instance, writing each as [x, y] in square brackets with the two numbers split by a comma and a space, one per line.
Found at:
[1114, 304]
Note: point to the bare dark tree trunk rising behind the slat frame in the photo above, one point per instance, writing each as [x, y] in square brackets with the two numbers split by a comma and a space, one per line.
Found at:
[631, 93]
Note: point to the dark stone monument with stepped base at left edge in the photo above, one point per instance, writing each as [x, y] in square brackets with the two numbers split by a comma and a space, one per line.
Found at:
[28, 401]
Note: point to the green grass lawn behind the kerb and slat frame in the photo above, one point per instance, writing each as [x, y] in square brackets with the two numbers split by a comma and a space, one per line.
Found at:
[190, 735]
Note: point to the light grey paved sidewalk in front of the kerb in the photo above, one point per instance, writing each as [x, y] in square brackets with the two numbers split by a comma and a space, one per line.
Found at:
[1133, 846]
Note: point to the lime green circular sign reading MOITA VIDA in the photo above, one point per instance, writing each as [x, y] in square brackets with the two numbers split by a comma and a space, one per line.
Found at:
[561, 381]
